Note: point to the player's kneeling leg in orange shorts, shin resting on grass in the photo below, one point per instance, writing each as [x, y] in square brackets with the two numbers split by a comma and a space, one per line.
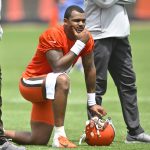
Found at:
[42, 120]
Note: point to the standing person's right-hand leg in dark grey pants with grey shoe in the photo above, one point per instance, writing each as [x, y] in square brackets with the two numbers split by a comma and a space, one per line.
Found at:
[121, 69]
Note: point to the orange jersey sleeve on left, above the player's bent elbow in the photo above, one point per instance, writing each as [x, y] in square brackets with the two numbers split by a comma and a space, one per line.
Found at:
[49, 40]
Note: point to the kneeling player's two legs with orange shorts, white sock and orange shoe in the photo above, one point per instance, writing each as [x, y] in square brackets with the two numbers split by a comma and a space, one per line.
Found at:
[43, 118]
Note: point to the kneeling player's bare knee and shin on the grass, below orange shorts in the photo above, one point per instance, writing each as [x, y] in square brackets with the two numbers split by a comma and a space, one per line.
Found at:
[39, 135]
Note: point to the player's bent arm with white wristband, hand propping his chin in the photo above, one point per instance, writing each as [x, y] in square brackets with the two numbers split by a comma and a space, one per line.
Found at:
[60, 62]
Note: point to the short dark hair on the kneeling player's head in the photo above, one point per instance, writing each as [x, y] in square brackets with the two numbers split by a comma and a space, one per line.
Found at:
[72, 8]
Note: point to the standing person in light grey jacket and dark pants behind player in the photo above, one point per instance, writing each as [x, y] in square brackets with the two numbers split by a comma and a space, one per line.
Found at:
[108, 22]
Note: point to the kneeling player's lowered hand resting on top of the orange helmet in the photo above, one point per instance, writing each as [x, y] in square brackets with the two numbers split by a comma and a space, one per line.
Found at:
[98, 110]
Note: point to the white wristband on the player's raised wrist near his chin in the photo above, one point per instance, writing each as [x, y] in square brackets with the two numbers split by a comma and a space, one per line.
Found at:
[77, 47]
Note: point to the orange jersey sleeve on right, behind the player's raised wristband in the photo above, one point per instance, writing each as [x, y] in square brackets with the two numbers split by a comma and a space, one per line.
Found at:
[89, 47]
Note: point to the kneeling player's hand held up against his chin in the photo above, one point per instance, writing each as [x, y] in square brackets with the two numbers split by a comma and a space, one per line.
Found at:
[82, 36]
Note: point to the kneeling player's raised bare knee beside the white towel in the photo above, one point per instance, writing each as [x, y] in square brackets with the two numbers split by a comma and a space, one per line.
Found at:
[63, 81]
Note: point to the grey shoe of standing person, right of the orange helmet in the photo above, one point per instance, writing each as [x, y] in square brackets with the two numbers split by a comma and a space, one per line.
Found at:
[143, 137]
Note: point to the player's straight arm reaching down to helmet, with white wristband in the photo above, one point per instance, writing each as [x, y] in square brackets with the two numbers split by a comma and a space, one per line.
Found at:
[90, 80]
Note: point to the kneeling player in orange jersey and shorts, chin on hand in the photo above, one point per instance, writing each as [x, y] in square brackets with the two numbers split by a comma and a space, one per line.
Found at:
[45, 81]
